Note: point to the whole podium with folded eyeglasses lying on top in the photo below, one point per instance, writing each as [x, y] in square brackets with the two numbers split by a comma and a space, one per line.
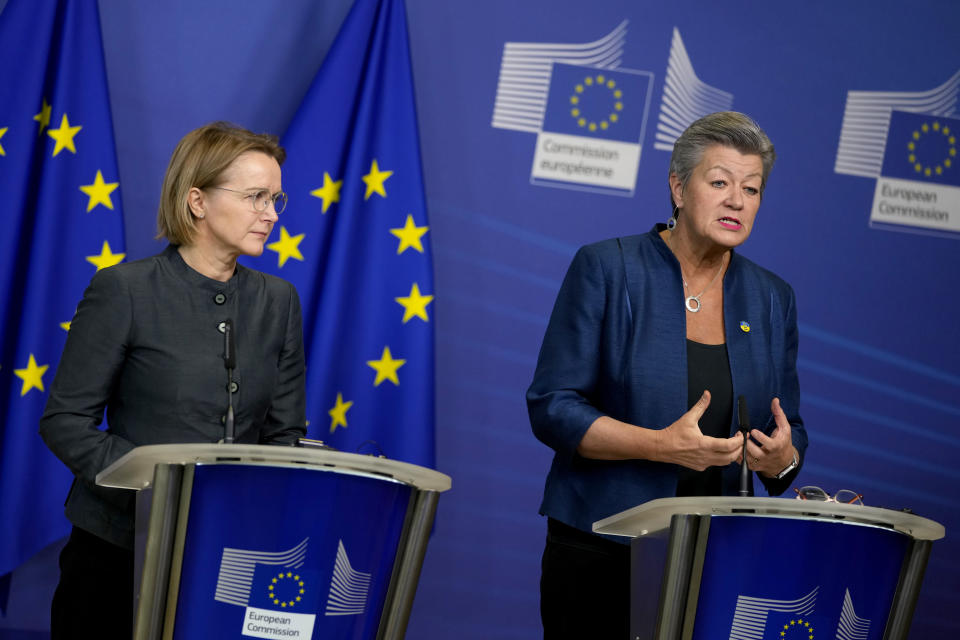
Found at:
[764, 568]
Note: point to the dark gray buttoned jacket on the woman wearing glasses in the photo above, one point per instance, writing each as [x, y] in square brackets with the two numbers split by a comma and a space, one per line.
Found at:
[145, 345]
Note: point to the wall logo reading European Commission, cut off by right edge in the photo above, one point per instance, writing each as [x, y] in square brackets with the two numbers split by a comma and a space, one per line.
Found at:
[908, 143]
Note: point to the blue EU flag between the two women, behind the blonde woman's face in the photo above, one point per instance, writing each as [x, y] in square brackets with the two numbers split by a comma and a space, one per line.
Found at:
[355, 242]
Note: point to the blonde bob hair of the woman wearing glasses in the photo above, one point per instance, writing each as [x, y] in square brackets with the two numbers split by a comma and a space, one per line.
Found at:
[199, 160]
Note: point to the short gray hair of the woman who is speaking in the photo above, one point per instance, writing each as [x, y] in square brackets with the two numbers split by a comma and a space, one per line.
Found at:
[726, 128]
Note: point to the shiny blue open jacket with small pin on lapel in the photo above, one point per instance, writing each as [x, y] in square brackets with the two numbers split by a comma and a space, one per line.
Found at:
[616, 345]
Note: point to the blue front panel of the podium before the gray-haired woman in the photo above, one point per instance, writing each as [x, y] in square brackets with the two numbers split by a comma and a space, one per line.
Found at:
[805, 578]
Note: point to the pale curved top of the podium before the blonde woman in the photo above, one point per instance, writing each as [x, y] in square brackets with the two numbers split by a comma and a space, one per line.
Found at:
[135, 469]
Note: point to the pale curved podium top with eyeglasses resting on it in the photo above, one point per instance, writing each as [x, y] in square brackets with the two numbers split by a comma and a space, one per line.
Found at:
[654, 516]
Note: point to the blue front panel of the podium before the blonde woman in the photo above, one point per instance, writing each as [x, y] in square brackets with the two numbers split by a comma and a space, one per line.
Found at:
[319, 565]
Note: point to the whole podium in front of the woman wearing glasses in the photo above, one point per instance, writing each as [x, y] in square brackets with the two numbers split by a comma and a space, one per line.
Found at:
[250, 541]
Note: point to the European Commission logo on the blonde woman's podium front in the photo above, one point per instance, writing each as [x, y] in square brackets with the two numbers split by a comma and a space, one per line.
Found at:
[281, 596]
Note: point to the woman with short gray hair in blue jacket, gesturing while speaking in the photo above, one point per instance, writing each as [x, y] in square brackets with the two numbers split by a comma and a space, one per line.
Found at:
[650, 340]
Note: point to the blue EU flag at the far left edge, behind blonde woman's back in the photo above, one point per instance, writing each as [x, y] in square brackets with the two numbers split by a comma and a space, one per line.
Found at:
[61, 210]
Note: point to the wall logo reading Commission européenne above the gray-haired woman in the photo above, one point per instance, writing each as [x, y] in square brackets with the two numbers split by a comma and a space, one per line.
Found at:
[590, 113]
